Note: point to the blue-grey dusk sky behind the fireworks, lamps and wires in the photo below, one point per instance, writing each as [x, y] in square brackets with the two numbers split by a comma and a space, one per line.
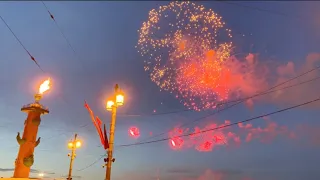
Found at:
[104, 35]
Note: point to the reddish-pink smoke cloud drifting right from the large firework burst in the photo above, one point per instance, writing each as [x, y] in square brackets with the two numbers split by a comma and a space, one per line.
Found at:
[251, 75]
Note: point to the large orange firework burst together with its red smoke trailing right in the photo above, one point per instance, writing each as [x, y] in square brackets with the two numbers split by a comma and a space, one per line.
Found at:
[187, 51]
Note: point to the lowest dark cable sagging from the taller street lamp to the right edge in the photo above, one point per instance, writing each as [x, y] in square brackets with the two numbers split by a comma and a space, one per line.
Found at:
[225, 126]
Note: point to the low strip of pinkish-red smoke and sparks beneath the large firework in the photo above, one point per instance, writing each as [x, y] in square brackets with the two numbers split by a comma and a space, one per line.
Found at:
[205, 140]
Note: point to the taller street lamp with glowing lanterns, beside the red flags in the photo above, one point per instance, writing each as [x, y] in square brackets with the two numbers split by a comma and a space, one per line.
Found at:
[112, 105]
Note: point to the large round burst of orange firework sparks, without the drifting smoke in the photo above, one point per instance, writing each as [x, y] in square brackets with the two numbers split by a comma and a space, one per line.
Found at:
[185, 46]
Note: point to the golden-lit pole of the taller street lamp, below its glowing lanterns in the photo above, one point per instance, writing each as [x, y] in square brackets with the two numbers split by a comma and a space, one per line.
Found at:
[111, 141]
